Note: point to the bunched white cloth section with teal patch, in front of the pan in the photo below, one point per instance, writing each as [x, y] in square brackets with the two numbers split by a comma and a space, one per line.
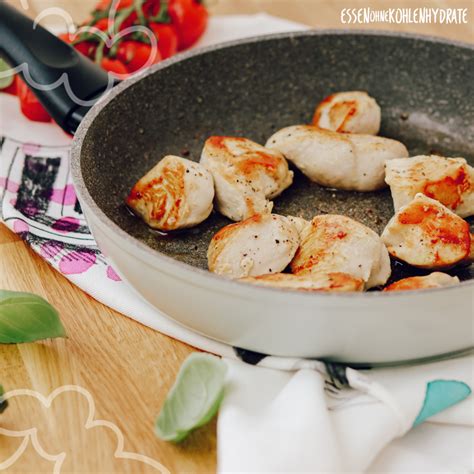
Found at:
[297, 421]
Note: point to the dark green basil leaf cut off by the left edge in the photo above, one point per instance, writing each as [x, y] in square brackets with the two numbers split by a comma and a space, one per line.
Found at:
[25, 317]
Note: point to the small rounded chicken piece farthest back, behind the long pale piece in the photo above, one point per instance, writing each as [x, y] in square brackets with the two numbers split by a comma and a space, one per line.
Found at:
[353, 112]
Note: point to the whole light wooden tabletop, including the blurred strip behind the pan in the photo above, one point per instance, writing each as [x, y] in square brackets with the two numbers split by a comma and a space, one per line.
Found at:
[125, 367]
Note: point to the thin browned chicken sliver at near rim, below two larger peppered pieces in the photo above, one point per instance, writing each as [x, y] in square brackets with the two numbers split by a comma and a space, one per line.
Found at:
[311, 282]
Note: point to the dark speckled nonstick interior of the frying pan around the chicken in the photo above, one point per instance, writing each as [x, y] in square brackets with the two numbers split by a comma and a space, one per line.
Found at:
[425, 90]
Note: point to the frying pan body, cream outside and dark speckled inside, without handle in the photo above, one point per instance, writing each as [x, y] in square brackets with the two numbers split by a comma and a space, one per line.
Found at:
[252, 88]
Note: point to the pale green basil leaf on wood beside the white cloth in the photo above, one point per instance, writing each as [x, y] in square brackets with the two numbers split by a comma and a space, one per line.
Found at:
[194, 398]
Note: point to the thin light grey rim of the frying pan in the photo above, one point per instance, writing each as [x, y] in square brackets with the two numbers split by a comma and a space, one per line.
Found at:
[205, 275]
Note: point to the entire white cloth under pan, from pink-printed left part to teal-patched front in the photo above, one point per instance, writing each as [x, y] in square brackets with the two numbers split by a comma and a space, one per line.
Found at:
[278, 414]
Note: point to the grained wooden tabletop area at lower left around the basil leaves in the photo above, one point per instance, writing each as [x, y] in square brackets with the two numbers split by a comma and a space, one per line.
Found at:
[126, 367]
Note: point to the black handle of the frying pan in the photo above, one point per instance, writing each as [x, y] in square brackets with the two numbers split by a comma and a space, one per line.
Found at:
[49, 60]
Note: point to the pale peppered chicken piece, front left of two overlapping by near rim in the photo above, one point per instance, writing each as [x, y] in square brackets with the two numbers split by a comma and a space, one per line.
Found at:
[264, 243]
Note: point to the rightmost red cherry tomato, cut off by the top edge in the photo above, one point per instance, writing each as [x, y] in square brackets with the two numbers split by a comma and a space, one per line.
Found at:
[190, 20]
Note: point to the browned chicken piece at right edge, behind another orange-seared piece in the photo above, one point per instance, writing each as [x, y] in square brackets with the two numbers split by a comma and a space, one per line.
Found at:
[448, 180]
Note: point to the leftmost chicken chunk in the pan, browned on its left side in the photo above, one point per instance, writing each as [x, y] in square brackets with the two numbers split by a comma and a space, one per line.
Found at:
[175, 194]
